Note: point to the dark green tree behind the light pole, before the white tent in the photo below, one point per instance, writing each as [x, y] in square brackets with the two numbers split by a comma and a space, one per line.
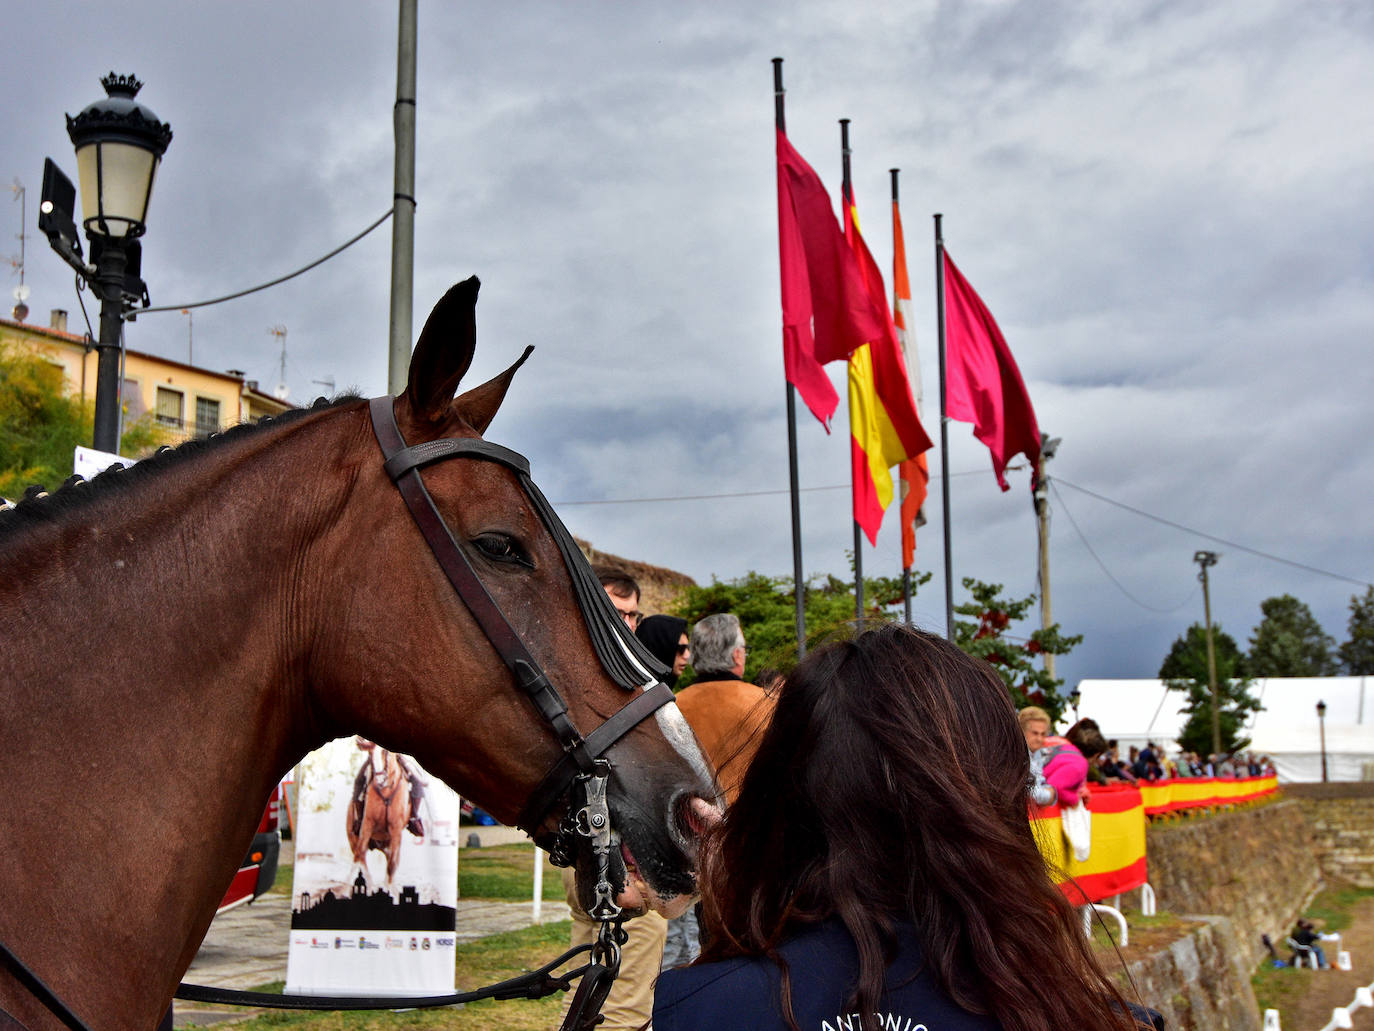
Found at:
[1185, 670]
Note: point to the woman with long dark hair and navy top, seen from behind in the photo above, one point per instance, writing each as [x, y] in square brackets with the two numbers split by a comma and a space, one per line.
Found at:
[879, 868]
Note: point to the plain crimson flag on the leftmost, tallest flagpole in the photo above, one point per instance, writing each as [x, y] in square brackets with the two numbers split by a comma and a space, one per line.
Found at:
[826, 310]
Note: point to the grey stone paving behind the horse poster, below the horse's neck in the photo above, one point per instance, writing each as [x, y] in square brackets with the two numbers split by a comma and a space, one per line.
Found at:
[247, 946]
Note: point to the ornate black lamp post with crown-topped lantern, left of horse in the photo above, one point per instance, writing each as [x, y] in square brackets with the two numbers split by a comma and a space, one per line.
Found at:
[119, 145]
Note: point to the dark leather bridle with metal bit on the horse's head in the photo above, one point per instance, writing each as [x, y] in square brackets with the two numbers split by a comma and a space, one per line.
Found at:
[583, 765]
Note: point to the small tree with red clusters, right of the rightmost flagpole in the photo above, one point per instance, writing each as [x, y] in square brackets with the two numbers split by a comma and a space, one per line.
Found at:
[987, 637]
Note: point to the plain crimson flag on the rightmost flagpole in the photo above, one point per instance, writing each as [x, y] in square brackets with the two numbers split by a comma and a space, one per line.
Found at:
[983, 384]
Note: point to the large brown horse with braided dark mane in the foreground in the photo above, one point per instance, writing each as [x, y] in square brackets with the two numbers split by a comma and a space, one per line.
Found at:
[179, 634]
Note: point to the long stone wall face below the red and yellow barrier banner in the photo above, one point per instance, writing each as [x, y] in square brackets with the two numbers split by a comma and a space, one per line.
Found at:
[1257, 867]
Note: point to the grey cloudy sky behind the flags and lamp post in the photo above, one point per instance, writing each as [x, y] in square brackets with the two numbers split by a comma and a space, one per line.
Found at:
[1169, 207]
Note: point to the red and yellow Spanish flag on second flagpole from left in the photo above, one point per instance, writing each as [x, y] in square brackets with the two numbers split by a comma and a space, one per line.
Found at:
[884, 425]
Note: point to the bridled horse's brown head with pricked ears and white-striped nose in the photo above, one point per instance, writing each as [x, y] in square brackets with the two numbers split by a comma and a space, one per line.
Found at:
[449, 674]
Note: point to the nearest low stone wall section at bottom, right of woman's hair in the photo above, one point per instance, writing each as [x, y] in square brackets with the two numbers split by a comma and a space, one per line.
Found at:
[1200, 982]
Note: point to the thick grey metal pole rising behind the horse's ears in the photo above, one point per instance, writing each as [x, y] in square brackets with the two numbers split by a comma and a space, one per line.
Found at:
[403, 218]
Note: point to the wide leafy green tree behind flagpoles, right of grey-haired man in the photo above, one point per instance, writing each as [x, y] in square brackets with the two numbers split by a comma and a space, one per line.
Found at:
[766, 608]
